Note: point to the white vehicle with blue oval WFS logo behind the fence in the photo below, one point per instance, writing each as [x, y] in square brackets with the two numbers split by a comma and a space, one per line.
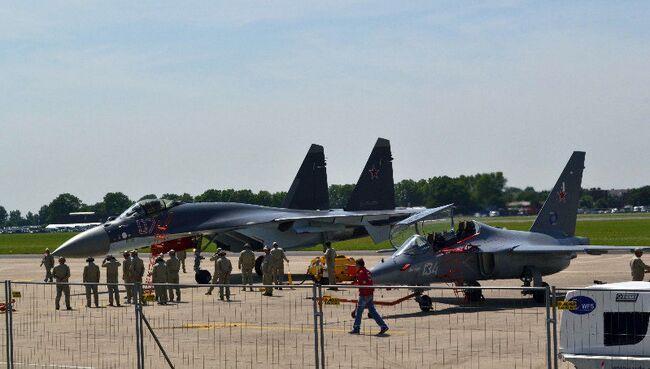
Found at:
[606, 326]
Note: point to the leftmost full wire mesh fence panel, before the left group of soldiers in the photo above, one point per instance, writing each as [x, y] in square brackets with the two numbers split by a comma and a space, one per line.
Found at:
[83, 337]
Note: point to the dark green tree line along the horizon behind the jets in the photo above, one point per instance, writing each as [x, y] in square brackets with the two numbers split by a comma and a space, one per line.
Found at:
[475, 193]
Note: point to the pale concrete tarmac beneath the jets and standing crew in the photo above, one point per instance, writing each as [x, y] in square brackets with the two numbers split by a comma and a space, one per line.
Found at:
[507, 330]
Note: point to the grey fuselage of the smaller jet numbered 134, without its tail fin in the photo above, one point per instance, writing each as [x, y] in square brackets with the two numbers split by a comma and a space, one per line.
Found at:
[470, 259]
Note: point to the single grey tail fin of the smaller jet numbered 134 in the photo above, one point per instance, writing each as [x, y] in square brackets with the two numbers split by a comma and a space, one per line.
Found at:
[559, 213]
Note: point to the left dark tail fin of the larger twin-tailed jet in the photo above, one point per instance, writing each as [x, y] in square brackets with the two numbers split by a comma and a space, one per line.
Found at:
[309, 190]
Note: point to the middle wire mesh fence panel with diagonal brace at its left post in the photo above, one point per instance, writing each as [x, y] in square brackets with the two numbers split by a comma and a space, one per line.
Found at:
[250, 331]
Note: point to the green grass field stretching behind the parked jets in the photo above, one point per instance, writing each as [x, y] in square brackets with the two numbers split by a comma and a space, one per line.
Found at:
[614, 229]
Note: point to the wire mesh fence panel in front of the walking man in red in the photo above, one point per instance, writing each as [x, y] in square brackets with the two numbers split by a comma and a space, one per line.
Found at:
[506, 330]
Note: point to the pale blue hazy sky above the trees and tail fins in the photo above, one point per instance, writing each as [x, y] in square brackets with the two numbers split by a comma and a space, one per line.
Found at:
[171, 97]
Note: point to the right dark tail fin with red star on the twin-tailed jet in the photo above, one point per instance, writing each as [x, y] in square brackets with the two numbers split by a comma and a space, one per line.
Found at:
[375, 189]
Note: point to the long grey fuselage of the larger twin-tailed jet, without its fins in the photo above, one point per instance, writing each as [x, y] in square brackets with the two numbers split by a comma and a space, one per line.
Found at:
[234, 222]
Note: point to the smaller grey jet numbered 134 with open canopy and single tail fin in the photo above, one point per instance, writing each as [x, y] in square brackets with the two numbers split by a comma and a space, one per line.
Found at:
[474, 251]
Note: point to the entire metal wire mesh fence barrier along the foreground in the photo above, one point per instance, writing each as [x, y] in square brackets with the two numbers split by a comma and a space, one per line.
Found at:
[300, 326]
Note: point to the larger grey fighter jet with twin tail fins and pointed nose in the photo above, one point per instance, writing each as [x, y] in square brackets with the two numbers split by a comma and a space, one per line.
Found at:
[369, 211]
